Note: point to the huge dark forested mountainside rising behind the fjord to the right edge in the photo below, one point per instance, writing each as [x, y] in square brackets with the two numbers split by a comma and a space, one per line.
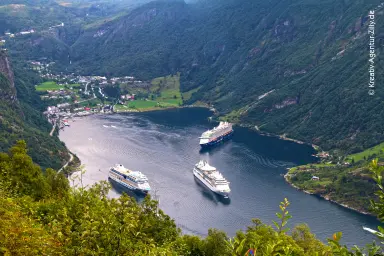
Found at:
[310, 56]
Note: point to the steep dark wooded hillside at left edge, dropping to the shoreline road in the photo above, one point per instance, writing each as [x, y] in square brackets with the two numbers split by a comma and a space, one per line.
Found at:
[21, 118]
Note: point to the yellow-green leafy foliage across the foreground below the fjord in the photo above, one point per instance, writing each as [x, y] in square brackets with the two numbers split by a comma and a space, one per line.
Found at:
[41, 215]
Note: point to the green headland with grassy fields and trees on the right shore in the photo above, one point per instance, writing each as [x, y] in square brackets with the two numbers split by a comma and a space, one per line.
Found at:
[344, 180]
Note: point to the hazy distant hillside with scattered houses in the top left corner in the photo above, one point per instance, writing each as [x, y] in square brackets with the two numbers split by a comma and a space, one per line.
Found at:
[56, 25]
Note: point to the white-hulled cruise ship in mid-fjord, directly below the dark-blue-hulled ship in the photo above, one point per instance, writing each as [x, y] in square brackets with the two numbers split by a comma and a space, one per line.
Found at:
[212, 178]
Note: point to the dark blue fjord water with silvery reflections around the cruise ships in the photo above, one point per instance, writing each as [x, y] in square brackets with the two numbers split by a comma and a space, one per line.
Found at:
[164, 145]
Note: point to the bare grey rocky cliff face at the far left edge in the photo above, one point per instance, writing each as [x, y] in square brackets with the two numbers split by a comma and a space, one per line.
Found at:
[7, 87]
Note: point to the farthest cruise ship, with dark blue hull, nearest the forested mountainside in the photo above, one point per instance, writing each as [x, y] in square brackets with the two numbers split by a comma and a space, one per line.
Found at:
[216, 135]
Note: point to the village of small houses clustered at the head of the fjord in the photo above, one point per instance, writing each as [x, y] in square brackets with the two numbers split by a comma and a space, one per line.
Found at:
[71, 95]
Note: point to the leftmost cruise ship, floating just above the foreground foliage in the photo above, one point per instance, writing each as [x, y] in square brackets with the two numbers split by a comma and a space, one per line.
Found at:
[132, 180]
